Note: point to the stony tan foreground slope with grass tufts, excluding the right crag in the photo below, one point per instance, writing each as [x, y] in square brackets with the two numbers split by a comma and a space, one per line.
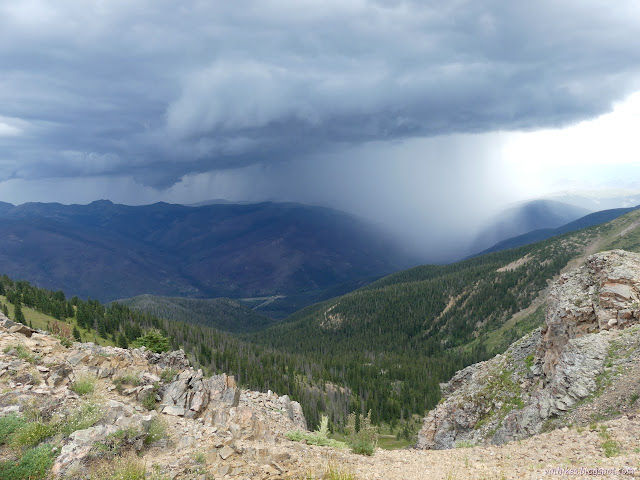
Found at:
[70, 413]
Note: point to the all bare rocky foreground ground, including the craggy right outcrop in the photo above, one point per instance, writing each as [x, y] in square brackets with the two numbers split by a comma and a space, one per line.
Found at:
[158, 412]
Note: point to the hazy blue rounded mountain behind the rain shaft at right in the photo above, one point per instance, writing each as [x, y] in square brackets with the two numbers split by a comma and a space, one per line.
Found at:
[534, 215]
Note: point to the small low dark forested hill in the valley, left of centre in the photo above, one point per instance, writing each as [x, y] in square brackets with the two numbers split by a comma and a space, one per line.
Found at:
[219, 313]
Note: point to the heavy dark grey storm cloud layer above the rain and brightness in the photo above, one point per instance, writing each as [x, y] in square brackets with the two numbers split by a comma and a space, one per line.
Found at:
[157, 90]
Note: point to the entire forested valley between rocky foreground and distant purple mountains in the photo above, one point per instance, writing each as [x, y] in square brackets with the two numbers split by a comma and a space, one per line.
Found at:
[387, 345]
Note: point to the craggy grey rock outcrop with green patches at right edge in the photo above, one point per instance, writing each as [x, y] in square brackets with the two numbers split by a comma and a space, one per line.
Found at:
[546, 373]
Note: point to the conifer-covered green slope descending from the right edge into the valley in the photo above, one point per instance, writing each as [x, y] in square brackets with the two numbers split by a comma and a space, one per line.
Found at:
[419, 325]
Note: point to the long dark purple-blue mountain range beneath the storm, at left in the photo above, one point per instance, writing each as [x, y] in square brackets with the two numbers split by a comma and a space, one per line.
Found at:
[109, 251]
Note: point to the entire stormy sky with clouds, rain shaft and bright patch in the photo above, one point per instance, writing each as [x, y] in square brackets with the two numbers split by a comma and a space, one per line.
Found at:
[427, 117]
